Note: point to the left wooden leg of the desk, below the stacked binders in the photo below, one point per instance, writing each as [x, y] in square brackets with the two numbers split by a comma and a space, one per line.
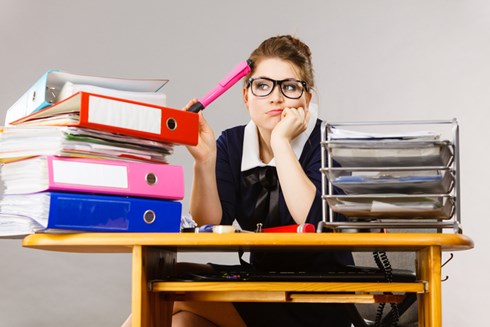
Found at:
[147, 308]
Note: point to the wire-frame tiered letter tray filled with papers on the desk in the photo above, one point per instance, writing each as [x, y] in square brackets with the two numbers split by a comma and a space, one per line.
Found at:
[406, 179]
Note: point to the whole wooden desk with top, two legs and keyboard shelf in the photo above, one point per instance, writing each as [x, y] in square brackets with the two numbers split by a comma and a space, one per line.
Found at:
[154, 253]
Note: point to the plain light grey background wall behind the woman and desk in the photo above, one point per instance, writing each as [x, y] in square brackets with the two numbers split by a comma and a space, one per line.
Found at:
[374, 60]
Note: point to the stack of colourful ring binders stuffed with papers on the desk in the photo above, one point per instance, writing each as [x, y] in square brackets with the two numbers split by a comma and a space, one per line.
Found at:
[84, 153]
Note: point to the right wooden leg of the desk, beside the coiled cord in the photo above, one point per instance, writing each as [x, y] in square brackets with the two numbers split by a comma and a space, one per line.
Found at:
[429, 269]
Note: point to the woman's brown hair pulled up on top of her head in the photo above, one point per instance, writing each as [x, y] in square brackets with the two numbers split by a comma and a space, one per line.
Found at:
[288, 48]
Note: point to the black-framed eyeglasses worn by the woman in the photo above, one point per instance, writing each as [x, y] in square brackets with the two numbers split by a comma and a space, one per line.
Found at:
[290, 88]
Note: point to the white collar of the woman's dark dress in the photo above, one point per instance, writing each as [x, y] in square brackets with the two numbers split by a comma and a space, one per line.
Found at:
[251, 156]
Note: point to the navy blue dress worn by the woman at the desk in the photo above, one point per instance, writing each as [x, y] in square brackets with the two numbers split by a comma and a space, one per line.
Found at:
[239, 197]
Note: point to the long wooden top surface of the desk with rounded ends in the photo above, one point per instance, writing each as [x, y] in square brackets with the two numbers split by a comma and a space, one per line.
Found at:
[190, 242]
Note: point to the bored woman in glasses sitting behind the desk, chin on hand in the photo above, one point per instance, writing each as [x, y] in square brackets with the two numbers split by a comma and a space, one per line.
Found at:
[266, 172]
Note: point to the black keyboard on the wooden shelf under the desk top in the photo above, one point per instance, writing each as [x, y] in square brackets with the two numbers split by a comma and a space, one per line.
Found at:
[347, 274]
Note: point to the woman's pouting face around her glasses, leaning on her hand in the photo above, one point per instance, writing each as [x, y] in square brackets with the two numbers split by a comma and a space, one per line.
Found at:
[266, 111]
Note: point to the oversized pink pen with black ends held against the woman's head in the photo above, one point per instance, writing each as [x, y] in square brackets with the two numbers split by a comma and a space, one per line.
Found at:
[234, 76]
